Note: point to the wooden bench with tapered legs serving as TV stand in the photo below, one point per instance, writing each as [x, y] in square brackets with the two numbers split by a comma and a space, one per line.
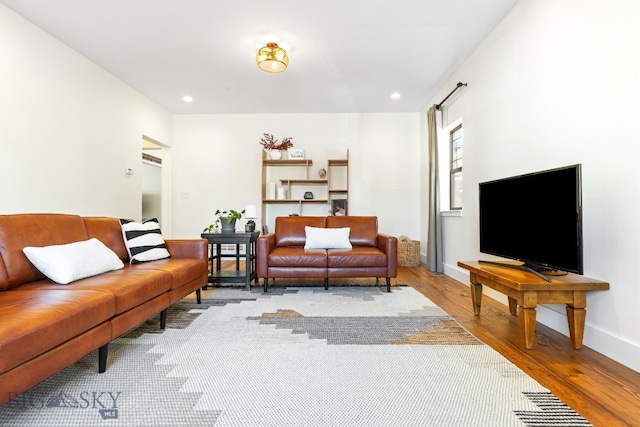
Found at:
[525, 291]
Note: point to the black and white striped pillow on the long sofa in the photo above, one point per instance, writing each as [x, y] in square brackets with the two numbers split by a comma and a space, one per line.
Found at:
[144, 241]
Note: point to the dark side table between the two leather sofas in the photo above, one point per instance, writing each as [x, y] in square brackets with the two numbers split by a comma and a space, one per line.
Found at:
[233, 276]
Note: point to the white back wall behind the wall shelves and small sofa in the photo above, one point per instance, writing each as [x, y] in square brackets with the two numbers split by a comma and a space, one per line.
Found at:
[217, 162]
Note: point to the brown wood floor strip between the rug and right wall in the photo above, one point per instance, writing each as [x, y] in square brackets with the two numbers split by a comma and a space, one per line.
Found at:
[601, 390]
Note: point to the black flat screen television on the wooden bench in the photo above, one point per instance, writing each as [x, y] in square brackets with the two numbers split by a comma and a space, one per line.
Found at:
[535, 218]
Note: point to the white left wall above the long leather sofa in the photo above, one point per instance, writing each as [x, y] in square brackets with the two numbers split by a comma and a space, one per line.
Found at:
[68, 129]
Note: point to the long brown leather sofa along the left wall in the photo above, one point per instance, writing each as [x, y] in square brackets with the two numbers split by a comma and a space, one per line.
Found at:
[45, 326]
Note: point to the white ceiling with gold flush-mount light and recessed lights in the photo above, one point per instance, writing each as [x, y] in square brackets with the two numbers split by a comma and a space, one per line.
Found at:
[345, 55]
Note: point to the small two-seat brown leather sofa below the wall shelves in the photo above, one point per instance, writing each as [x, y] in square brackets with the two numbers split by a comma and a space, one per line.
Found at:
[281, 254]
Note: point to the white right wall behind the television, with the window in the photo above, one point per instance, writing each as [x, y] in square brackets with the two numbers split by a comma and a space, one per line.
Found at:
[556, 83]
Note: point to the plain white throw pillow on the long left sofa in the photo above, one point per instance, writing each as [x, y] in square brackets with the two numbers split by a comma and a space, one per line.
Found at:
[66, 263]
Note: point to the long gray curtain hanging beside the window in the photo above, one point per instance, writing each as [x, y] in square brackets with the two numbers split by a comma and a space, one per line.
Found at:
[434, 231]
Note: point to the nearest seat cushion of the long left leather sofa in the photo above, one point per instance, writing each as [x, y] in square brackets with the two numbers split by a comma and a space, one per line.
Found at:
[46, 320]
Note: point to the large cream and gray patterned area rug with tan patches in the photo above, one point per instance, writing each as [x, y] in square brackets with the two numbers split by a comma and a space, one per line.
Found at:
[349, 356]
